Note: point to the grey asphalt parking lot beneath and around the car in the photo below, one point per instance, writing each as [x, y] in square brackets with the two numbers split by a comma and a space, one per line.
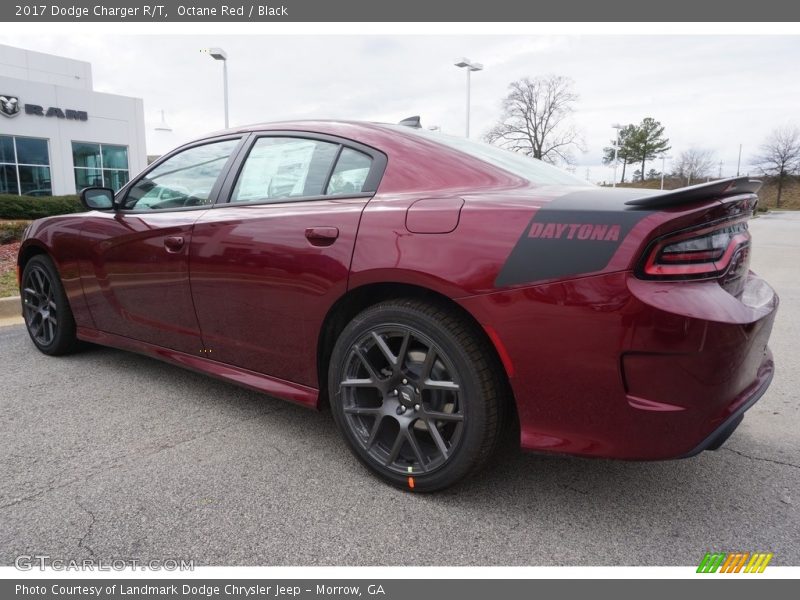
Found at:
[107, 454]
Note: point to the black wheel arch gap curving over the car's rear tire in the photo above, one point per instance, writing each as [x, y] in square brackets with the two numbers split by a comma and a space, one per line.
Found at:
[362, 297]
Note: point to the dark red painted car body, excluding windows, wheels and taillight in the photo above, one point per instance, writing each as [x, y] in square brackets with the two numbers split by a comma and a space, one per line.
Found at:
[601, 361]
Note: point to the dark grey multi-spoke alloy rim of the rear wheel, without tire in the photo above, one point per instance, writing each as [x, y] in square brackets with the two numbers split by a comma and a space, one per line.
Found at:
[401, 398]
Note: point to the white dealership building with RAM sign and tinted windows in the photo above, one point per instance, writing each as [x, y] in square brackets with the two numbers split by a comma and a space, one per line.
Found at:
[57, 135]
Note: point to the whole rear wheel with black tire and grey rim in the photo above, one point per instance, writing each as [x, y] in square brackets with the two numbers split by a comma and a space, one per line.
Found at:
[433, 386]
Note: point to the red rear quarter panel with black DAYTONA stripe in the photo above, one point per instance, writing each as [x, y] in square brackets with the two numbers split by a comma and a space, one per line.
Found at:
[499, 242]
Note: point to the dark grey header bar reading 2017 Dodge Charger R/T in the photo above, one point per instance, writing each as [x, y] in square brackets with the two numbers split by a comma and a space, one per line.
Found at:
[401, 11]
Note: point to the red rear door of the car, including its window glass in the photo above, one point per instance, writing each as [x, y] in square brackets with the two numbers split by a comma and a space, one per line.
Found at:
[267, 265]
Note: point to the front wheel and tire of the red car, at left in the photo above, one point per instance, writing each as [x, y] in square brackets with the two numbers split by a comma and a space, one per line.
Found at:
[45, 307]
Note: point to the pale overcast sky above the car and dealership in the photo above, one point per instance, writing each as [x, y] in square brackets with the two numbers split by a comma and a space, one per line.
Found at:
[711, 92]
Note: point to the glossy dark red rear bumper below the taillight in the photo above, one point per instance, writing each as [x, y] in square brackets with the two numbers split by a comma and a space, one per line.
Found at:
[616, 367]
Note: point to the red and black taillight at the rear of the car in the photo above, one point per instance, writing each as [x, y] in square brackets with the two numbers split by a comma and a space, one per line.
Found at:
[699, 253]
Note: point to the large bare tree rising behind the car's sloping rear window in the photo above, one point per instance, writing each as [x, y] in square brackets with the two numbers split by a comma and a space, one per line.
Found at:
[536, 120]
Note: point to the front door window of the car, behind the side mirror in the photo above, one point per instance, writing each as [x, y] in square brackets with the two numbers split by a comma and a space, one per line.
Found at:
[185, 179]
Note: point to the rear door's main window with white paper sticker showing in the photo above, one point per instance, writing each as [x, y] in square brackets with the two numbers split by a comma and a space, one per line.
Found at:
[279, 168]
